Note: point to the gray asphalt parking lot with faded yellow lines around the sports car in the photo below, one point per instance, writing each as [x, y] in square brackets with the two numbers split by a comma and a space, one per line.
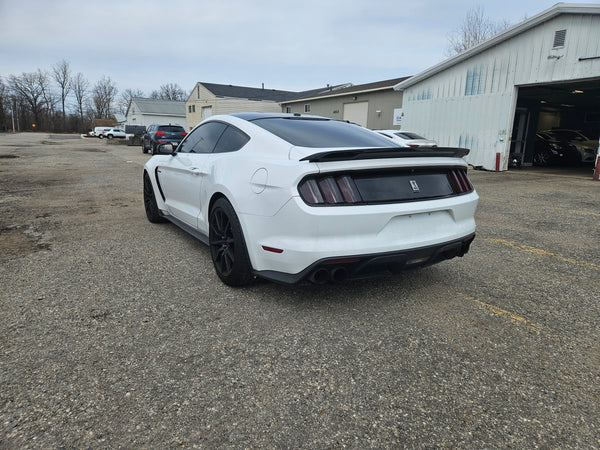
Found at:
[115, 332]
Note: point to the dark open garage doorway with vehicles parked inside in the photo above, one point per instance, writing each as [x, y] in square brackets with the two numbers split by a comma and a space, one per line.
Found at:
[557, 124]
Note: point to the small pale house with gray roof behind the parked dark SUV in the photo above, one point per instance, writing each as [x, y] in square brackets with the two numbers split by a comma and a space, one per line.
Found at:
[146, 111]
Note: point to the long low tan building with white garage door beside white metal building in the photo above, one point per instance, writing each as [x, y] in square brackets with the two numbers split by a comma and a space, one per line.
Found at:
[373, 105]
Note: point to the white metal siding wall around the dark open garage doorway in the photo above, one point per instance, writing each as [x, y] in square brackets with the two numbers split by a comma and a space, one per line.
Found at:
[483, 122]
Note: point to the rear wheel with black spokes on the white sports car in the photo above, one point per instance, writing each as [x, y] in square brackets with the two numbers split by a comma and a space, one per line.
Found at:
[227, 245]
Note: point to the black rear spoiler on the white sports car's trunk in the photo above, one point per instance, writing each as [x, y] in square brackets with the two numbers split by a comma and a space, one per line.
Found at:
[379, 153]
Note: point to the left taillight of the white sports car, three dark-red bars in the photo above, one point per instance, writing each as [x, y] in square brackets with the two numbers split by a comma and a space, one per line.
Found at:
[330, 190]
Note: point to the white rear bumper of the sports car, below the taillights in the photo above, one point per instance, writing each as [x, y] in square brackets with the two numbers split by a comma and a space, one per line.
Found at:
[298, 238]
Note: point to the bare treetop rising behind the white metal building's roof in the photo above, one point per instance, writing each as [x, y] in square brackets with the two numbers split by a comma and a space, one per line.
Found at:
[475, 29]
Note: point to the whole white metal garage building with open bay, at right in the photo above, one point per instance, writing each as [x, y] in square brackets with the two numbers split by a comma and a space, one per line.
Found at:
[540, 74]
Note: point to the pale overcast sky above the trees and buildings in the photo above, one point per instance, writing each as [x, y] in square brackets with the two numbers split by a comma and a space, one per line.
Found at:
[285, 44]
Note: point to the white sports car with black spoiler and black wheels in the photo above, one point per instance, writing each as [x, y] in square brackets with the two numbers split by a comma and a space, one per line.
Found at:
[295, 198]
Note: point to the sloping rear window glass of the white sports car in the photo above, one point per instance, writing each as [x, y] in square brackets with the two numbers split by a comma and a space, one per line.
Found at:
[318, 133]
